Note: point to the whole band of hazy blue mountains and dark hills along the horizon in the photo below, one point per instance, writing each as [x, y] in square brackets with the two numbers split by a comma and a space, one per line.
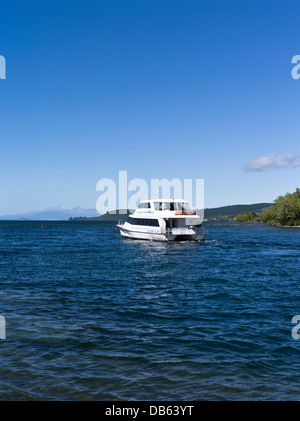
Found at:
[78, 213]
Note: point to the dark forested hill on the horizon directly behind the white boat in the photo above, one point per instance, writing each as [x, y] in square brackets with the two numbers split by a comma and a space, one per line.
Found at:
[210, 214]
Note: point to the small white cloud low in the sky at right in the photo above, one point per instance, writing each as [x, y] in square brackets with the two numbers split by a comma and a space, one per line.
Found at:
[272, 162]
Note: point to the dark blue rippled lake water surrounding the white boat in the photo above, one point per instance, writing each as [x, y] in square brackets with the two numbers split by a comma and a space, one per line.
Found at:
[90, 316]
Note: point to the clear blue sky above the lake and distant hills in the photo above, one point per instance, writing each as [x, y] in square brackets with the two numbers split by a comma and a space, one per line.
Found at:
[174, 89]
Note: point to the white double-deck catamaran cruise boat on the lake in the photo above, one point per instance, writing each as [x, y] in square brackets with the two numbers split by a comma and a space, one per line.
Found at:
[163, 220]
